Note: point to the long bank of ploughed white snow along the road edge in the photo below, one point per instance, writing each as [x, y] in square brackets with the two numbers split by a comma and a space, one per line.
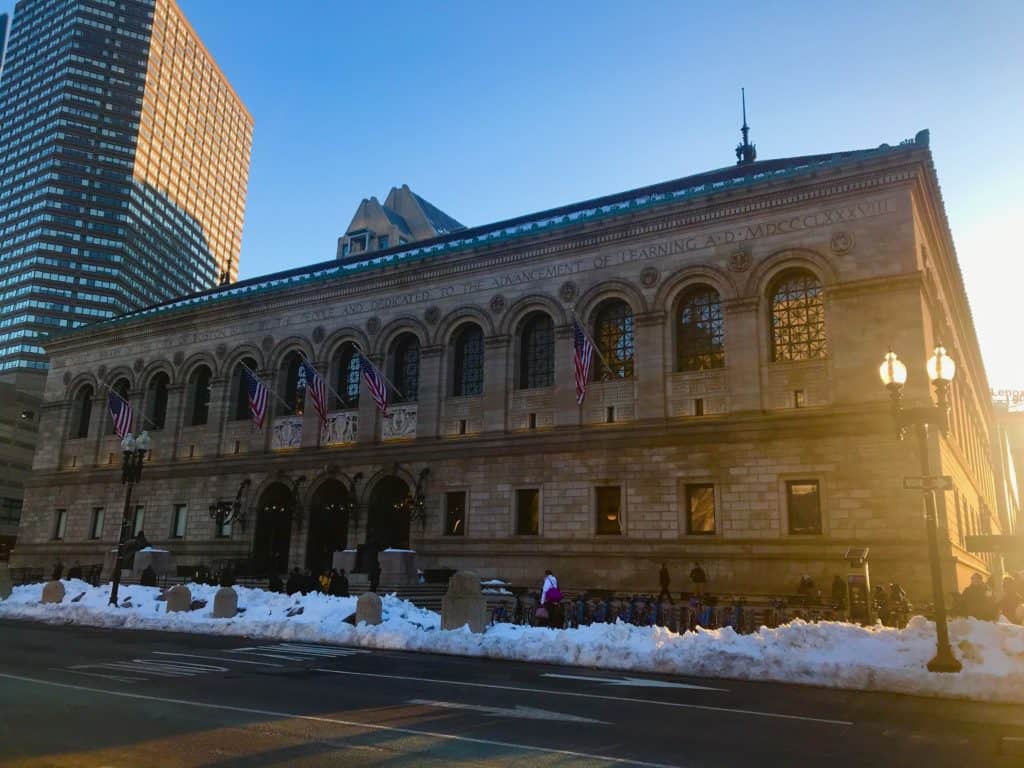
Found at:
[830, 654]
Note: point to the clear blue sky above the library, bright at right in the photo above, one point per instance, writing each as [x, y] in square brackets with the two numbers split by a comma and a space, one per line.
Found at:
[493, 112]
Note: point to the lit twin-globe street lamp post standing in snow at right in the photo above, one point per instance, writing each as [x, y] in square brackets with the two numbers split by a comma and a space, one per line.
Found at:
[942, 371]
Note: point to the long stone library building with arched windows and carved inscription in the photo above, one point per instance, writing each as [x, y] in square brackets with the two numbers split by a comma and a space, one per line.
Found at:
[735, 414]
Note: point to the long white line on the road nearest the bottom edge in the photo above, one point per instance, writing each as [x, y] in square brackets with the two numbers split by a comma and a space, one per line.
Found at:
[348, 723]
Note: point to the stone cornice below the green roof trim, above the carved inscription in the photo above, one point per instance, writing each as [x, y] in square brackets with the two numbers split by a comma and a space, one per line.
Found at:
[876, 175]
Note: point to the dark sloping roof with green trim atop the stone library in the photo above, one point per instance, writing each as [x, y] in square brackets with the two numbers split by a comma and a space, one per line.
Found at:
[689, 188]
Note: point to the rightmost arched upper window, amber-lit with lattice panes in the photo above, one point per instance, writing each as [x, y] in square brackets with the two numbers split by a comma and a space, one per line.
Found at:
[798, 318]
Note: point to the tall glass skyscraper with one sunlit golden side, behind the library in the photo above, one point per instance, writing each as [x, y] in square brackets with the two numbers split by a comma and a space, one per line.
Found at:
[124, 161]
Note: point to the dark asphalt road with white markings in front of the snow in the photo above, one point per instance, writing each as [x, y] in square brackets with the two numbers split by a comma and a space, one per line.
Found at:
[77, 697]
